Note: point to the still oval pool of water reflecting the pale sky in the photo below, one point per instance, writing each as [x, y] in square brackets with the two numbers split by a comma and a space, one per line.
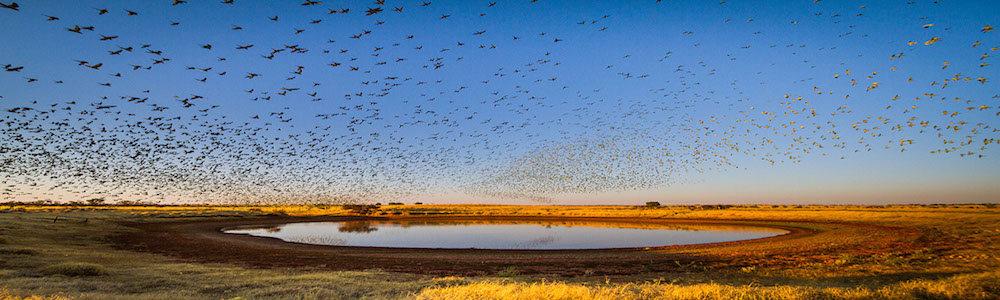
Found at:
[491, 234]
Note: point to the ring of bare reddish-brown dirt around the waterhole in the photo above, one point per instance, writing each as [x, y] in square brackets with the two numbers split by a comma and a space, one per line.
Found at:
[203, 241]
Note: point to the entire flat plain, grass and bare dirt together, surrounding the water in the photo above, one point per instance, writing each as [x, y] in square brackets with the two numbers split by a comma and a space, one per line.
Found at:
[831, 252]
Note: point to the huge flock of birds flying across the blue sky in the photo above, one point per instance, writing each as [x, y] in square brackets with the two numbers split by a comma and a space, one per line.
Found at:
[355, 102]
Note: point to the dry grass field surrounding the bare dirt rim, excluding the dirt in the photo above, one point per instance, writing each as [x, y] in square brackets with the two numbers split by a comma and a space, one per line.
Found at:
[917, 252]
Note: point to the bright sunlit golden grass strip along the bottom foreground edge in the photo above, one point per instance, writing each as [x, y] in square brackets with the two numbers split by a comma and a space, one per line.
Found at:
[973, 286]
